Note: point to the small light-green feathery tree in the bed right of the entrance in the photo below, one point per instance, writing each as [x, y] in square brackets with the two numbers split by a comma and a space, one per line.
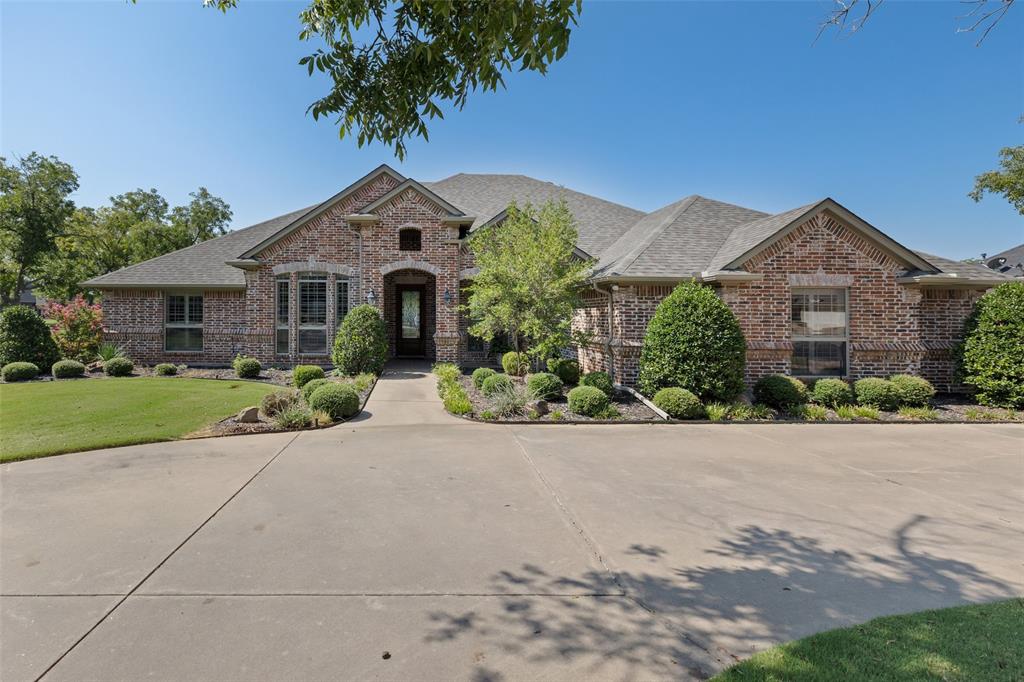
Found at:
[530, 280]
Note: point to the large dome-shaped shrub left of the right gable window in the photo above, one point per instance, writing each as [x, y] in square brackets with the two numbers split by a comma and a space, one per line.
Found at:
[695, 343]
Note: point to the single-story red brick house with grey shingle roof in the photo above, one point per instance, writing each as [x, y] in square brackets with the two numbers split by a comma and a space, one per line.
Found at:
[818, 291]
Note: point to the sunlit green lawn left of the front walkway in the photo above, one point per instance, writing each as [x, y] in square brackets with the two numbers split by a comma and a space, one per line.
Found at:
[54, 417]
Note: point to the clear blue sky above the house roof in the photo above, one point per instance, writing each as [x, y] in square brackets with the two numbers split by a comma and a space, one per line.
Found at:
[653, 103]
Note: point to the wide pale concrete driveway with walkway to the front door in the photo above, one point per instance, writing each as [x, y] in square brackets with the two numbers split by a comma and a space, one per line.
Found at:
[411, 545]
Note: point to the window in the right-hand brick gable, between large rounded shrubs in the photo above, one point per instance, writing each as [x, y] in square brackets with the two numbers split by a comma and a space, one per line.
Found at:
[821, 332]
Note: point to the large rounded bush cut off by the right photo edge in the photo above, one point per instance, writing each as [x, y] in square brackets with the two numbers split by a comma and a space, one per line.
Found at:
[992, 357]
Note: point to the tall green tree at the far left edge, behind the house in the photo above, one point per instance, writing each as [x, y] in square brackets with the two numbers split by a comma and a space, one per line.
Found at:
[35, 204]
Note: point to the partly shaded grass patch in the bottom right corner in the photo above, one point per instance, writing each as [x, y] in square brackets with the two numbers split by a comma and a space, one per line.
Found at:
[984, 643]
